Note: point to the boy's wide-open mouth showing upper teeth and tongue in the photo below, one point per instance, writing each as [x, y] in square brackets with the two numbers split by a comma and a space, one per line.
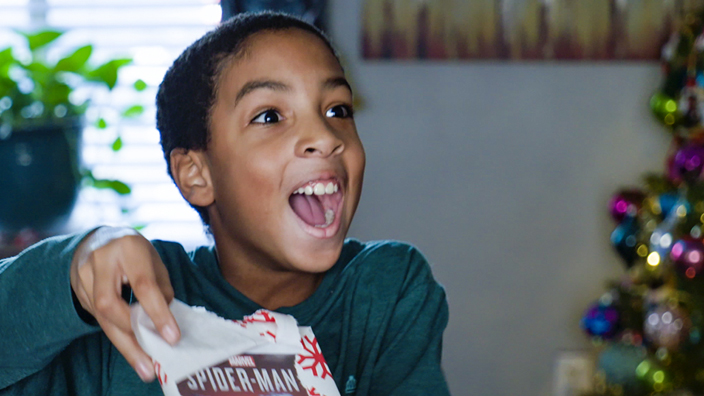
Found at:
[317, 203]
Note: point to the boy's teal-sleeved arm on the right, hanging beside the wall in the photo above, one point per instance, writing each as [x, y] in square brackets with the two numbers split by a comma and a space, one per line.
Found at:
[410, 359]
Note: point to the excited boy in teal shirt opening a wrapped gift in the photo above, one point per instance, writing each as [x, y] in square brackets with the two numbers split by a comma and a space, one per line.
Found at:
[257, 130]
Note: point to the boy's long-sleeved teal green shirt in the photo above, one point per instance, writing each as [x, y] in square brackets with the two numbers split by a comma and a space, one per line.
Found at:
[378, 316]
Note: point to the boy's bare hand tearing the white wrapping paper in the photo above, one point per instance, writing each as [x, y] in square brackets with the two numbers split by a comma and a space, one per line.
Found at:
[105, 261]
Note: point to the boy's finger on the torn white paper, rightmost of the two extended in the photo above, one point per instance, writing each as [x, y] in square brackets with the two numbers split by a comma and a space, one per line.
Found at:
[153, 301]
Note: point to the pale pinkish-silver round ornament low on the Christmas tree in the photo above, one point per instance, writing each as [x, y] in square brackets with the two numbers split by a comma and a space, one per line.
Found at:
[666, 326]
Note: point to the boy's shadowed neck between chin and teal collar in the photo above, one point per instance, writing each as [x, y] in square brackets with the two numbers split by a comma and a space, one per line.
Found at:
[267, 285]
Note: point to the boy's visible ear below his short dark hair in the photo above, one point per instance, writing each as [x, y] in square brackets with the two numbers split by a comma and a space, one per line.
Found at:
[192, 176]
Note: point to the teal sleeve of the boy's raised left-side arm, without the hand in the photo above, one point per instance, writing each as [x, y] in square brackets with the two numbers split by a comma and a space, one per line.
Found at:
[38, 319]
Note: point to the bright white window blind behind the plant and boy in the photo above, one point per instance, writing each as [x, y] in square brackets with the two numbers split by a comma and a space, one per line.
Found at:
[153, 33]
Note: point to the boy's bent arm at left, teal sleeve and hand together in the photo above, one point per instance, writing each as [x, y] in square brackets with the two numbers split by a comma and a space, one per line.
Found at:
[43, 317]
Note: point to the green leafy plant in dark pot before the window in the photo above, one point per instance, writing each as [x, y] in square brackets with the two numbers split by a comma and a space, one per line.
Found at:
[41, 119]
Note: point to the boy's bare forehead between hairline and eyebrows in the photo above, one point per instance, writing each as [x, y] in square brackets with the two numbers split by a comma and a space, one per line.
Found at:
[283, 53]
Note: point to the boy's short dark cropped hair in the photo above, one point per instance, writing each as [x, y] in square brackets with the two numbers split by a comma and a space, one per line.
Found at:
[187, 94]
